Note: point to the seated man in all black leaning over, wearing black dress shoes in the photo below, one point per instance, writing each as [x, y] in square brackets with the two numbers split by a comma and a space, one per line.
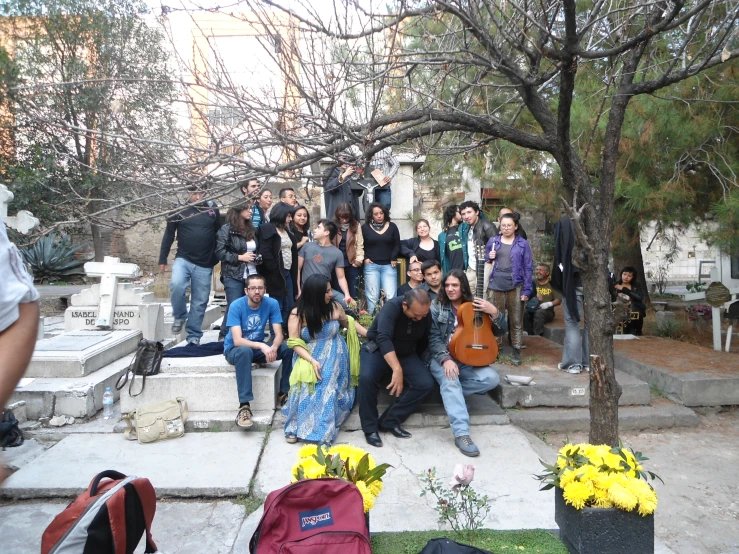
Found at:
[398, 339]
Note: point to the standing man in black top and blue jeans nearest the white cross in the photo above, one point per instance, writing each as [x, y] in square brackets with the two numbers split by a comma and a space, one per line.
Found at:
[196, 228]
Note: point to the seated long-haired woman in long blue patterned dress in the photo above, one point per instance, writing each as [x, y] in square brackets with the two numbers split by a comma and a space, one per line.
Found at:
[315, 411]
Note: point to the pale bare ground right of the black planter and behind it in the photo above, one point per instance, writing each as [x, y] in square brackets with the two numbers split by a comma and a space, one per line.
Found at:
[698, 509]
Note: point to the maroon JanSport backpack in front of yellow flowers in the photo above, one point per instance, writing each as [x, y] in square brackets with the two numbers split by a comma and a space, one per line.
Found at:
[316, 515]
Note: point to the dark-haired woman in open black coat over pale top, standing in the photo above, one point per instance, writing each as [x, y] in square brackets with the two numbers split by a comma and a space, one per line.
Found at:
[279, 257]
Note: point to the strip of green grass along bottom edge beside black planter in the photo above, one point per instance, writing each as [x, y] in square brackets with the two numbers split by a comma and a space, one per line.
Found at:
[411, 542]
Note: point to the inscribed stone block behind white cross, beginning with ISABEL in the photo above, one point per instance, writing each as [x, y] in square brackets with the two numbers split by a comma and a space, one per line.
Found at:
[134, 310]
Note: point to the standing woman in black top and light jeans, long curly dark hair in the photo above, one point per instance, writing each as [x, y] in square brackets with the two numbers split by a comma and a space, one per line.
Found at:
[381, 249]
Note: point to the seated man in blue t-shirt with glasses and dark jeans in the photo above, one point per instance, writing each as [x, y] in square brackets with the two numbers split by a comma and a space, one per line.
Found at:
[245, 343]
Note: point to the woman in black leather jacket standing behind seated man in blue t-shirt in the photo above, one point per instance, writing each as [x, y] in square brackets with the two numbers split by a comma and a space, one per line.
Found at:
[236, 248]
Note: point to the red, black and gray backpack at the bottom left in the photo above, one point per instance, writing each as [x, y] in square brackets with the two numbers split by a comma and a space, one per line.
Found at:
[108, 518]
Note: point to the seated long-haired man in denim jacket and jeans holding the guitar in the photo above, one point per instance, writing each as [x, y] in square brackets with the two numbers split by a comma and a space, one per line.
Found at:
[455, 379]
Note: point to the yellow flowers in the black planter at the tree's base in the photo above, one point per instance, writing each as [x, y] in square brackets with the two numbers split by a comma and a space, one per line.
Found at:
[602, 477]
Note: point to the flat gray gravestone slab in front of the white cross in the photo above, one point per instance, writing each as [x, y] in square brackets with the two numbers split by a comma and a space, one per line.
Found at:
[77, 354]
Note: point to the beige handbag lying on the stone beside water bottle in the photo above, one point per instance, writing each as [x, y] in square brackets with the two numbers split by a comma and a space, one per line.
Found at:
[162, 421]
